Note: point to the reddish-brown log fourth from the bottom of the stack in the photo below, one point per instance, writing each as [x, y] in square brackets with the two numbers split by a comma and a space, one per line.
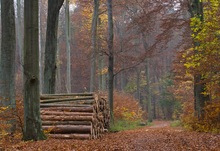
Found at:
[66, 118]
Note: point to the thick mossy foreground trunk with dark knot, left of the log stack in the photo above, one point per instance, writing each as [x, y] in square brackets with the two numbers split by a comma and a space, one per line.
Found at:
[32, 121]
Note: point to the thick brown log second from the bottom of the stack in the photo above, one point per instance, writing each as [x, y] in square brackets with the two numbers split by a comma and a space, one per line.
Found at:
[63, 129]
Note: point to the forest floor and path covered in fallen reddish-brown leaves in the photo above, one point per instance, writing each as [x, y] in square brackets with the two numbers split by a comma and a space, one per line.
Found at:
[159, 137]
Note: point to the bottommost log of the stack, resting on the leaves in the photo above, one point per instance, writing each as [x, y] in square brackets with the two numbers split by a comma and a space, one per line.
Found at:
[70, 136]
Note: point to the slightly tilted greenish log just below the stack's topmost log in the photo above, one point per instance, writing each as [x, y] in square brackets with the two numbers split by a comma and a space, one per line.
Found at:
[66, 99]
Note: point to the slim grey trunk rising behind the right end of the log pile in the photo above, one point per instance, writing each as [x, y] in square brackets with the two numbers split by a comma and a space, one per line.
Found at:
[94, 44]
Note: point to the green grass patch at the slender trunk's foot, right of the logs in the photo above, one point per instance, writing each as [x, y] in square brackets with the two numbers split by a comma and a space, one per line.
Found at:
[122, 125]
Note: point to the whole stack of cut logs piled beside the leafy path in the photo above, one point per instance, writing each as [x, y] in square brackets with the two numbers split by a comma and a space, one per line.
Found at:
[76, 116]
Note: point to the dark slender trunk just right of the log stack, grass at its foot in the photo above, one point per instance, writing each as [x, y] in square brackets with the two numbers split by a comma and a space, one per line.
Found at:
[110, 59]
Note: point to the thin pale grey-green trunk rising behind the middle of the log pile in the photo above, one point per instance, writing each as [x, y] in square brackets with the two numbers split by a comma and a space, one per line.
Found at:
[68, 53]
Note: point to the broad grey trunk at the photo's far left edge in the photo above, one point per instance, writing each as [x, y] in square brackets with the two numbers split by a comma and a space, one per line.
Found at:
[7, 55]
